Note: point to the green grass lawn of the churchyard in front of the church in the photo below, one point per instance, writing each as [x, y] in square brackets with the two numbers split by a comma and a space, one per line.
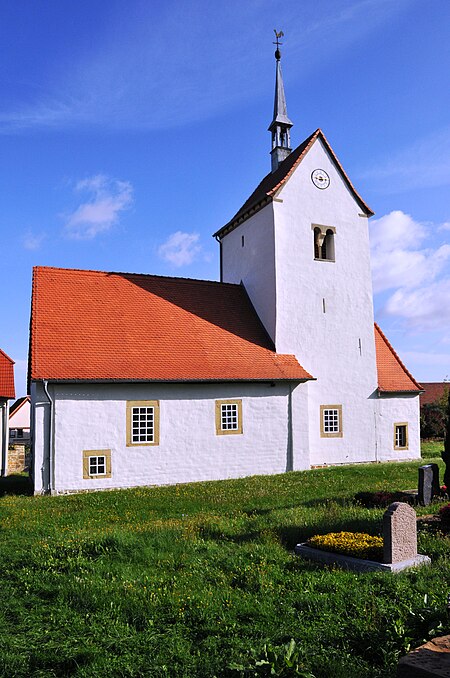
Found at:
[200, 580]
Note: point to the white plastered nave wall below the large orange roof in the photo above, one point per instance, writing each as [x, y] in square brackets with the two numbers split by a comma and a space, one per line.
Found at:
[93, 417]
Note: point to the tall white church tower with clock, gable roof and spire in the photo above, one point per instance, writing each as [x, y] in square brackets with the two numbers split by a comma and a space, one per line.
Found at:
[300, 246]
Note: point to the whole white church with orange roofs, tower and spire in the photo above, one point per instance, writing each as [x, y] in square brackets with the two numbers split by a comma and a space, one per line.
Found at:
[147, 380]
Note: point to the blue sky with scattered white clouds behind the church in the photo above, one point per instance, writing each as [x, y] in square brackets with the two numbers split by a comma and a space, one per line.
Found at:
[130, 132]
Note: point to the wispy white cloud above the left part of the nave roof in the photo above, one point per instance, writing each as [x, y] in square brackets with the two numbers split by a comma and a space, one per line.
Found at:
[108, 198]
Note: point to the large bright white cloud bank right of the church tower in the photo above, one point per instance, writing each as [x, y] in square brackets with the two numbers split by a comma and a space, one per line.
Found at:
[416, 273]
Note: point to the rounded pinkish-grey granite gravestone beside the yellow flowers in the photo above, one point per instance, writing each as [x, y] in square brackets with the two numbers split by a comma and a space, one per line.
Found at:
[399, 533]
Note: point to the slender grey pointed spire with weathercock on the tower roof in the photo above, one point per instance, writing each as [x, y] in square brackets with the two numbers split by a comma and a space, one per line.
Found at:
[280, 125]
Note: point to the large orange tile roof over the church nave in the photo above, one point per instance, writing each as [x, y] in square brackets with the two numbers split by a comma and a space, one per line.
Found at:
[93, 325]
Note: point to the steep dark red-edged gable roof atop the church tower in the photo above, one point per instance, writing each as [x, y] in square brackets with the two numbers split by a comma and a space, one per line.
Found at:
[270, 185]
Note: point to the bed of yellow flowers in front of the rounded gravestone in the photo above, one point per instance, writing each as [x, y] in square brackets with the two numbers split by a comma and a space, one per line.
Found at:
[354, 544]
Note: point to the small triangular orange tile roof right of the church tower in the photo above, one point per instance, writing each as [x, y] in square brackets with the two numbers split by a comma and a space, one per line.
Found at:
[392, 374]
